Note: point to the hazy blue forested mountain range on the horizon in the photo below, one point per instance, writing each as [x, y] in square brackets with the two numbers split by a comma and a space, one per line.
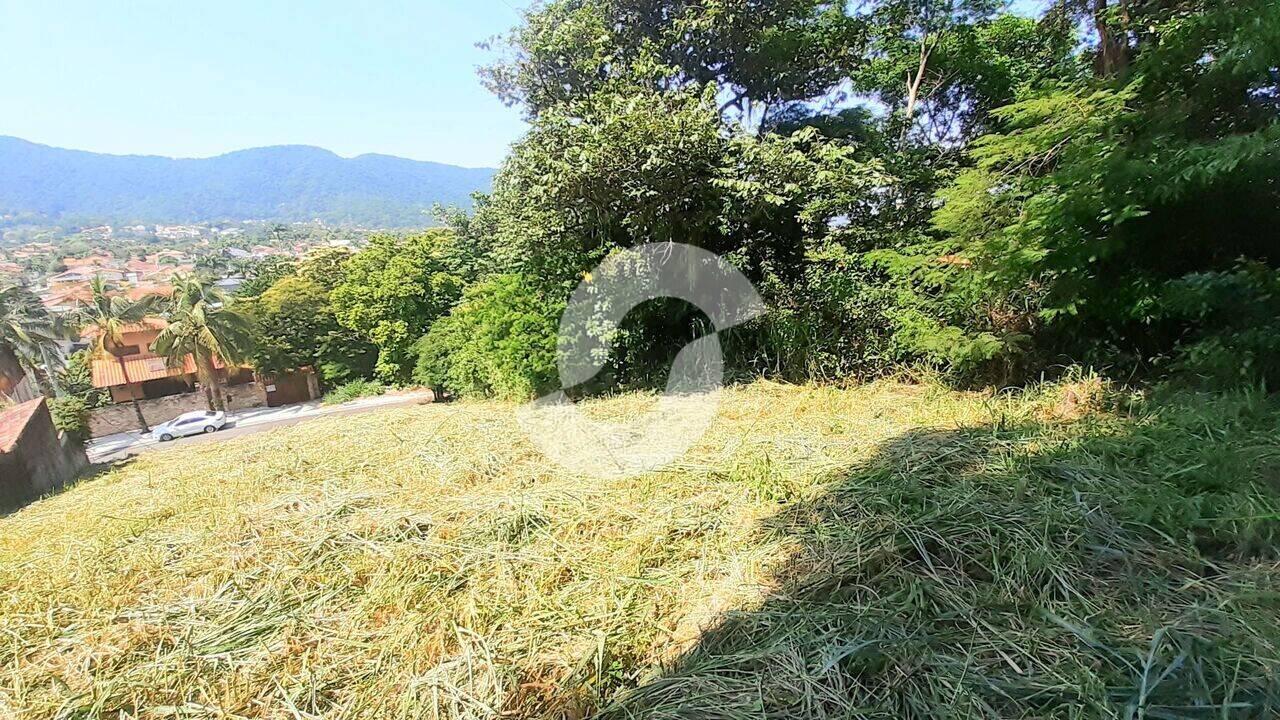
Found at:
[287, 183]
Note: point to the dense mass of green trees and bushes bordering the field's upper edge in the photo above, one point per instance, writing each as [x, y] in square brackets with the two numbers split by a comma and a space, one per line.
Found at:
[907, 183]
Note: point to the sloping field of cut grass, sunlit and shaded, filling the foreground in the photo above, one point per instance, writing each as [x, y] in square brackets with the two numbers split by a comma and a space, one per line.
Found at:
[885, 552]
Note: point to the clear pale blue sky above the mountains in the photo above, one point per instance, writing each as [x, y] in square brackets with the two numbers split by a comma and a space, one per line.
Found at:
[191, 80]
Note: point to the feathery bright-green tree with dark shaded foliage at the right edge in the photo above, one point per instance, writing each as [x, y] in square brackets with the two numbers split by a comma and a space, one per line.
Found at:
[1100, 199]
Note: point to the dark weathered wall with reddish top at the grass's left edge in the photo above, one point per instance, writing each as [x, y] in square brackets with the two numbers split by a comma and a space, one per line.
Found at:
[39, 462]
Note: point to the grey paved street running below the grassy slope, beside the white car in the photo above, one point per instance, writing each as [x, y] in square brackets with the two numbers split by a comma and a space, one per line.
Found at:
[120, 446]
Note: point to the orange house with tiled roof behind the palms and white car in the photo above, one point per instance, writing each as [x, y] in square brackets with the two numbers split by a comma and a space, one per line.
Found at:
[135, 372]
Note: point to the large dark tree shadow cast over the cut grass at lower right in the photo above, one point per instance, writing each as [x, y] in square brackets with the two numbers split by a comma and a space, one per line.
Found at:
[1009, 573]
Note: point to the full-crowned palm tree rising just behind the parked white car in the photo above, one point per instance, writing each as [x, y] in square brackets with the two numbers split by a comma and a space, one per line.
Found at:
[202, 325]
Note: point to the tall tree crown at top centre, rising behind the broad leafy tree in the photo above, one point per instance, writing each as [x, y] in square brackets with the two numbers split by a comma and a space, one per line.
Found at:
[757, 54]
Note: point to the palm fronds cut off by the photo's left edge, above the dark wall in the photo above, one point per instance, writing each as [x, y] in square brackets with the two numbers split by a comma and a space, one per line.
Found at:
[29, 336]
